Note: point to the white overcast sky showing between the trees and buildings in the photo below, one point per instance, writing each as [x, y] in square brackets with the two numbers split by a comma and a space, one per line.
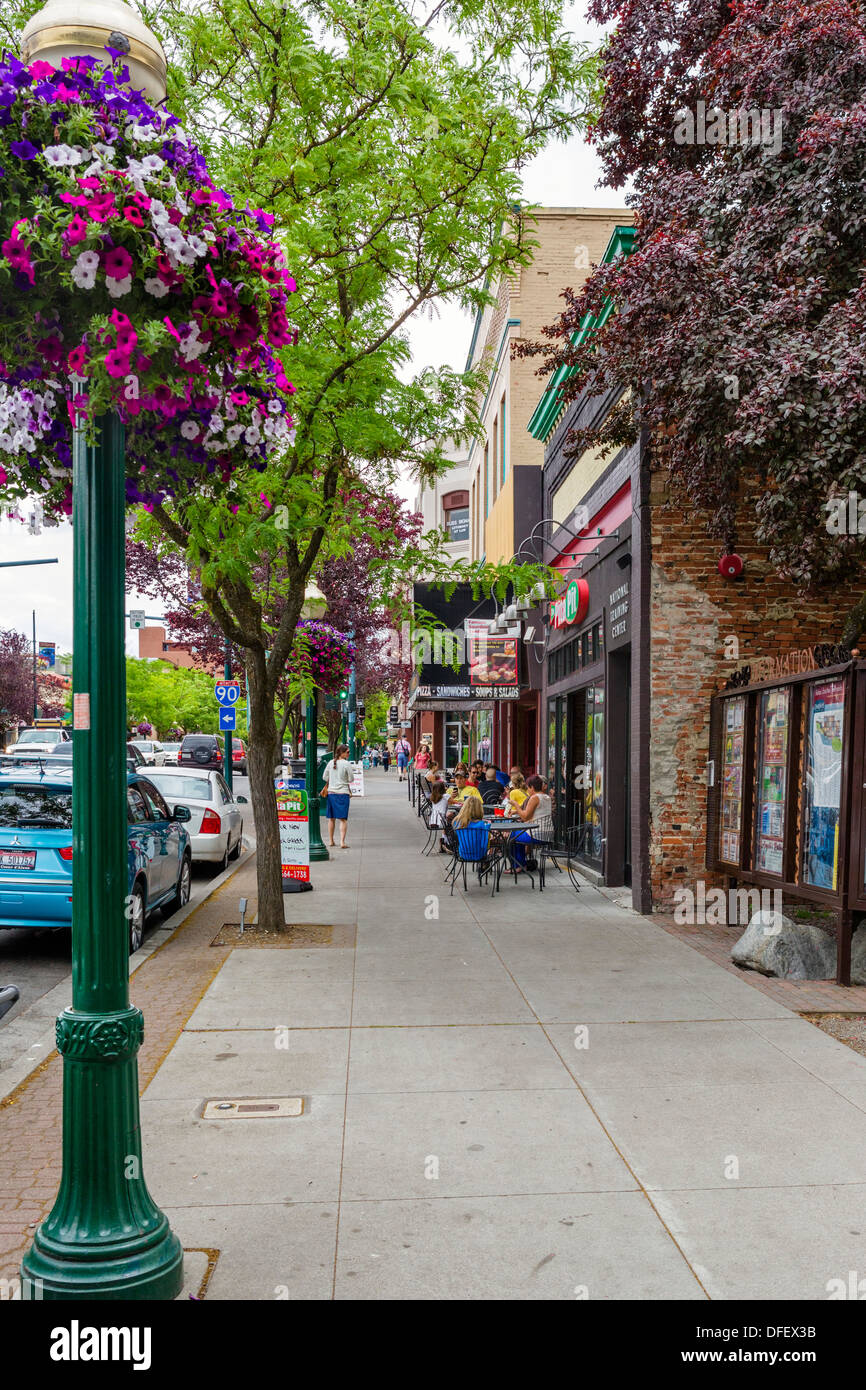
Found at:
[565, 176]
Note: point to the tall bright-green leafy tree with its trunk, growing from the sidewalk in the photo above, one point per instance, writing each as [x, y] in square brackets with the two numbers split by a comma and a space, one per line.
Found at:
[389, 145]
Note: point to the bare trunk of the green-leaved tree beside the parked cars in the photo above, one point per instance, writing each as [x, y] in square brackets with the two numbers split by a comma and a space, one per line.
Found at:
[263, 750]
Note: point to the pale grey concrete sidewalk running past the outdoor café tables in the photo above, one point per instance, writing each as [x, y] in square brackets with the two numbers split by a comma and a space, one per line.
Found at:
[512, 1097]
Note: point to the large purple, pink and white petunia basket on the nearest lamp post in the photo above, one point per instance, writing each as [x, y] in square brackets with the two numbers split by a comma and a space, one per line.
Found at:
[129, 283]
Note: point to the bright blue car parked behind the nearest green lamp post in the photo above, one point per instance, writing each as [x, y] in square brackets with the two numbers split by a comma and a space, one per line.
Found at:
[37, 850]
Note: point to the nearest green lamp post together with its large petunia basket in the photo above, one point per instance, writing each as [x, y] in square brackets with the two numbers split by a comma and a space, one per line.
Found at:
[140, 322]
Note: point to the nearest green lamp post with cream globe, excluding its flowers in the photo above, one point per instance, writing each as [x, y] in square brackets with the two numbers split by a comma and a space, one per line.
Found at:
[105, 1236]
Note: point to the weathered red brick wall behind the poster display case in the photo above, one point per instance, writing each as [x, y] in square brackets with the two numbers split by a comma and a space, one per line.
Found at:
[693, 611]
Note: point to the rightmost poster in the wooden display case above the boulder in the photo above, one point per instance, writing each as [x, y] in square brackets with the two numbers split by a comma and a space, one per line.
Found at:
[824, 790]
